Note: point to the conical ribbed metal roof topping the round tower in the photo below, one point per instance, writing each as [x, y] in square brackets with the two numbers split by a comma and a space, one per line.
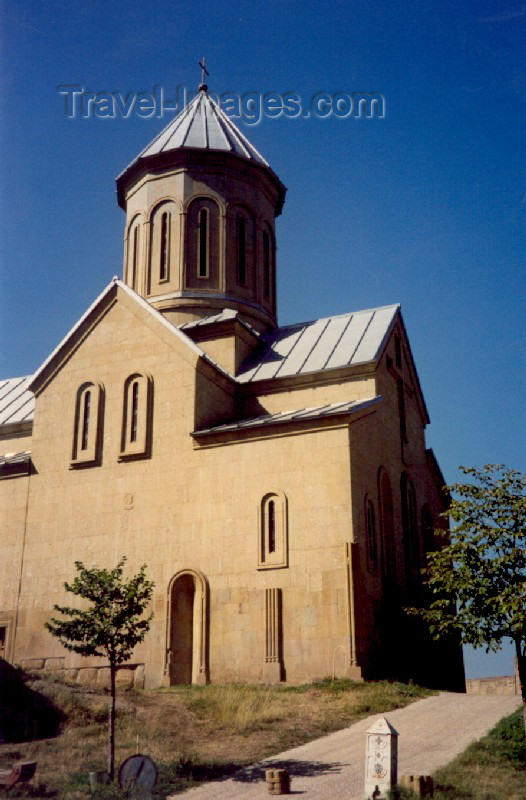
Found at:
[202, 125]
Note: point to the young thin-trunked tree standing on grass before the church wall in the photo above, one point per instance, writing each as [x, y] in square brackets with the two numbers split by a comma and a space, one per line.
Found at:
[109, 627]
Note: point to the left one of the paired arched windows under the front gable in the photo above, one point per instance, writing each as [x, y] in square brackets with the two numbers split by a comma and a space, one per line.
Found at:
[88, 422]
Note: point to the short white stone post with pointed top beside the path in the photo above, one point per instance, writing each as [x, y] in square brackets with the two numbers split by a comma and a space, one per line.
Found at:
[381, 759]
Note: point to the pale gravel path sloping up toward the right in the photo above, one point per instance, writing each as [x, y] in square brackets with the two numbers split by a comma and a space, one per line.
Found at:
[431, 733]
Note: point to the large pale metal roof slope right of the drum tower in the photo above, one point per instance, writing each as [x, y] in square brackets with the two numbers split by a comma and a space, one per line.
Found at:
[346, 340]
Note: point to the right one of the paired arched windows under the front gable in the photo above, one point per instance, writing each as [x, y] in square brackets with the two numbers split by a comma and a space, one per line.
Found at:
[137, 414]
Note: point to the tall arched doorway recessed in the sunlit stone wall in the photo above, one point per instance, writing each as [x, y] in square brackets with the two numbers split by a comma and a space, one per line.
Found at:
[187, 629]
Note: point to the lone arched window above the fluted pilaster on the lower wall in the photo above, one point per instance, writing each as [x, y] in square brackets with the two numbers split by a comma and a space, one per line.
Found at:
[273, 531]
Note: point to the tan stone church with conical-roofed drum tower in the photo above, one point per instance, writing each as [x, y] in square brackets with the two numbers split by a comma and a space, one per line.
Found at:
[274, 480]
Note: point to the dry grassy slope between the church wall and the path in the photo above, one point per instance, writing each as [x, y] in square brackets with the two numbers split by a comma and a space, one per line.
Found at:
[194, 733]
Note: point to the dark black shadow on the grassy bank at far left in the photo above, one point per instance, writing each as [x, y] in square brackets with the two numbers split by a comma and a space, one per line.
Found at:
[24, 713]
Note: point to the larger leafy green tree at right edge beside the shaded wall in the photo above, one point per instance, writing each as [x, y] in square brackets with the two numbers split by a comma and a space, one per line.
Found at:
[482, 566]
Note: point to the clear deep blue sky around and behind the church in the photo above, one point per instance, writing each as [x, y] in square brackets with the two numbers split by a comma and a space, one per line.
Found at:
[425, 206]
